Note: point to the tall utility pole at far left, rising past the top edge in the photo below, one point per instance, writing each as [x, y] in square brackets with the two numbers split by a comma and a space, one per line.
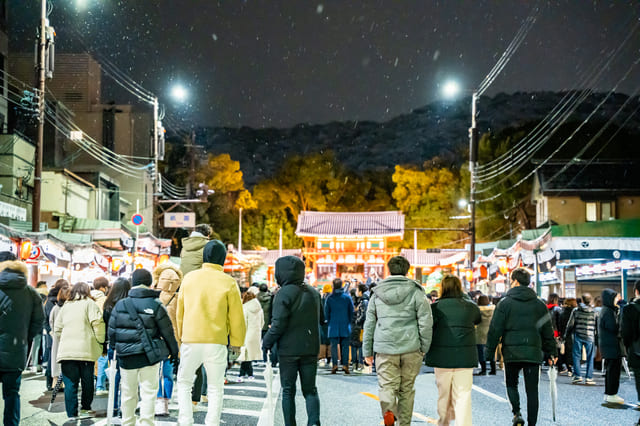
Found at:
[37, 176]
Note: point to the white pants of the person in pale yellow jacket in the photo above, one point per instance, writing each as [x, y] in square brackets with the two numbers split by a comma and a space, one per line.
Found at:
[214, 358]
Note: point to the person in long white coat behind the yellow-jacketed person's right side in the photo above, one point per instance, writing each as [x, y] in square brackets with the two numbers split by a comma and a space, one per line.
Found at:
[254, 319]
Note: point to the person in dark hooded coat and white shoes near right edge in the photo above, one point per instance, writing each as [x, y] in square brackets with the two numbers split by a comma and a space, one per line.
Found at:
[610, 345]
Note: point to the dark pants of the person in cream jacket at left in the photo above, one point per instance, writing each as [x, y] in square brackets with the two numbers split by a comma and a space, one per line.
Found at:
[73, 373]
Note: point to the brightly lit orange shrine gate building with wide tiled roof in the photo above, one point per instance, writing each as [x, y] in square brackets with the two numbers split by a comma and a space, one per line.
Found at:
[349, 245]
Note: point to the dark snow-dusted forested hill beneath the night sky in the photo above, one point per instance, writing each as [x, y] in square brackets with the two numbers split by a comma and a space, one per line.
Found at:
[438, 129]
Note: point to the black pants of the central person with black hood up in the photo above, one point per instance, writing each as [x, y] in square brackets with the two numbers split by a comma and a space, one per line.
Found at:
[306, 367]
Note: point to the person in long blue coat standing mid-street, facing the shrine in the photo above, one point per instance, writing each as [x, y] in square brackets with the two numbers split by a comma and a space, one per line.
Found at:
[338, 311]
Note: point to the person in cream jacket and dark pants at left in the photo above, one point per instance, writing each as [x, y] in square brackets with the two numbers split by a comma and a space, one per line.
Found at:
[80, 328]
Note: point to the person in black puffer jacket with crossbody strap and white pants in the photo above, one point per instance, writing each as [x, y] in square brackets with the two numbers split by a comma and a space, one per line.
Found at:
[132, 348]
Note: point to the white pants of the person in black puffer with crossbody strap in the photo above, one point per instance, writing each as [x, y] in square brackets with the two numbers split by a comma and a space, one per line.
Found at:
[147, 378]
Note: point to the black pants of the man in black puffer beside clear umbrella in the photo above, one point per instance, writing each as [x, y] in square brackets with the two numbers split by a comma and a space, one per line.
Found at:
[531, 373]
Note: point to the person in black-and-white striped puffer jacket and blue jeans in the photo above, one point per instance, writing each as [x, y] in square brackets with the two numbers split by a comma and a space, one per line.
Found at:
[582, 327]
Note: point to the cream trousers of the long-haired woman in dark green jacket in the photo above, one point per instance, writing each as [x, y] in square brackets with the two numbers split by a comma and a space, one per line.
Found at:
[454, 395]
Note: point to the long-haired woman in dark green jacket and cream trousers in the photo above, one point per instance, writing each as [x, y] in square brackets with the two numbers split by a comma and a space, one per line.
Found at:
[453, 352]
